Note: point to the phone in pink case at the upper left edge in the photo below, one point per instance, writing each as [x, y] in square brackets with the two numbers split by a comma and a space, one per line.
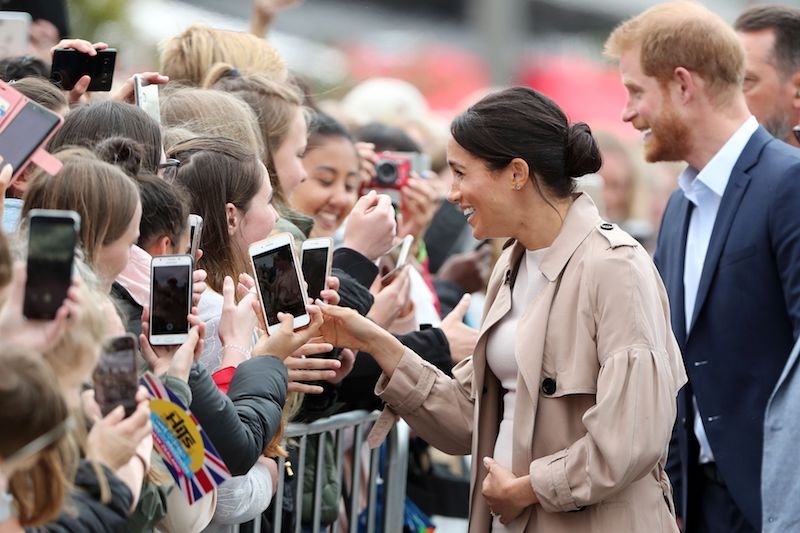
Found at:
[25, 131]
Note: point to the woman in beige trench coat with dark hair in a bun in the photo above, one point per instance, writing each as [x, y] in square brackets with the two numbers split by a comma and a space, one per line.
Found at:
[568, 402]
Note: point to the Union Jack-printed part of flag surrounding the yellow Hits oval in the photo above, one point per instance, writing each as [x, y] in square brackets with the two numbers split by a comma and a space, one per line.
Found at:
[213, 471]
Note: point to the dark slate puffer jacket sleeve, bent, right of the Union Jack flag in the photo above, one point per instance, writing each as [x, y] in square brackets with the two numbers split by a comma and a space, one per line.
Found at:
[243, 422]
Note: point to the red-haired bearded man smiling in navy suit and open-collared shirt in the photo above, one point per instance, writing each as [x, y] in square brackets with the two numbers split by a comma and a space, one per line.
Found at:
[728, 250]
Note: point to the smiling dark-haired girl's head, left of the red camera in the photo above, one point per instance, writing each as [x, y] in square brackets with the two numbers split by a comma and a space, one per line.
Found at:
[332, 165]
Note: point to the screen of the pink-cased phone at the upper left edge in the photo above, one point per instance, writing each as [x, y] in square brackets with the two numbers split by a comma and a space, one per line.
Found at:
[25, 133]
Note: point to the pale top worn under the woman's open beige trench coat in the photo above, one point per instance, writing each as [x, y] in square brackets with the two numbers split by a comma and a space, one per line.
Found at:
[501, 357]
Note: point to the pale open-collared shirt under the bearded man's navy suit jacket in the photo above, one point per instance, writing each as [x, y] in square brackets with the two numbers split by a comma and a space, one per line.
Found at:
[704, 189]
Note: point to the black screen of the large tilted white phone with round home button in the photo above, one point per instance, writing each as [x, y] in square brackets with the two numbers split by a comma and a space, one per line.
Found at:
[278, 283]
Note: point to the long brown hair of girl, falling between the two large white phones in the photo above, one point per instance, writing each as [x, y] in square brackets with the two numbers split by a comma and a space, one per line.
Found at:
[214, 172]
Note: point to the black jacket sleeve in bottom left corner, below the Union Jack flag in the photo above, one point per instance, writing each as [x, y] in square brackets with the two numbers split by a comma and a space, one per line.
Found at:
[90, 515]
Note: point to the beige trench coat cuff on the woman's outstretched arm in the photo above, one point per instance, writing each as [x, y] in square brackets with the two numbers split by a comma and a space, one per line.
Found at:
[409, 385]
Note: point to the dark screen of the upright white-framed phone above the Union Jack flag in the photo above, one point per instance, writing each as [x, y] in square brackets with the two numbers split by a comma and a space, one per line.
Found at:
[171, 299]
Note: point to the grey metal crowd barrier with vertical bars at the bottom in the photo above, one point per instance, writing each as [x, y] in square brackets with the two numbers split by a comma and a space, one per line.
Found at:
[393, 479]
